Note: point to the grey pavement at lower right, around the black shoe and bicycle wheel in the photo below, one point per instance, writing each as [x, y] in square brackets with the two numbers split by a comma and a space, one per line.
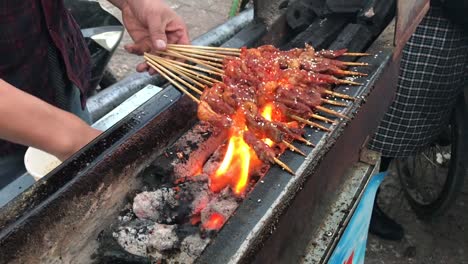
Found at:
[443, 240]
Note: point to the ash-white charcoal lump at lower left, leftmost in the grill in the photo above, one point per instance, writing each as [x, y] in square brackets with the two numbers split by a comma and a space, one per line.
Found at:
[134, 236]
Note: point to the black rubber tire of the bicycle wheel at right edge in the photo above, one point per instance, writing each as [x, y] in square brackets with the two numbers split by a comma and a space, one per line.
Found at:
[456, 173]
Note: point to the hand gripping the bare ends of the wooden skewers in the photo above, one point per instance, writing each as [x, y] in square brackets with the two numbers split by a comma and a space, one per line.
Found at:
[152, 24]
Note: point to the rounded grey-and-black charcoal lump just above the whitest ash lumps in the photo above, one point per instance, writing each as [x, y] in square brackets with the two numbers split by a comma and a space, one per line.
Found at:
[156, 206]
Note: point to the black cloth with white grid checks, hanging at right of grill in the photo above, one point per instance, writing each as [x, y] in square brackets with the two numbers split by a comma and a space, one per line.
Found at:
[433, 72]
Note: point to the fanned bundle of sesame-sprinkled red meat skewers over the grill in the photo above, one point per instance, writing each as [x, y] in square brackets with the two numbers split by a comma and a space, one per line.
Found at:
[233, 87]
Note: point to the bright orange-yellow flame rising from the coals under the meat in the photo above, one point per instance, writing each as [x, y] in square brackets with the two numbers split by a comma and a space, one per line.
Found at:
[239, 158]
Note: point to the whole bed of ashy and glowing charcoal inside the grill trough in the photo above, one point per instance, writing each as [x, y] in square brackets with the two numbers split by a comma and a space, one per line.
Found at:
[177, 213]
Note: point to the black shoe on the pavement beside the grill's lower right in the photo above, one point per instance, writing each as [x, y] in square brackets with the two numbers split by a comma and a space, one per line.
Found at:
[383, 226]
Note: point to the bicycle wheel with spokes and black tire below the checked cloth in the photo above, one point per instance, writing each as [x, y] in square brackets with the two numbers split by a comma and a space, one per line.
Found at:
[432, 179]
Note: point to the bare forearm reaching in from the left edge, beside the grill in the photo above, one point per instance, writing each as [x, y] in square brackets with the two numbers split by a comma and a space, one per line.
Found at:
[27, 120]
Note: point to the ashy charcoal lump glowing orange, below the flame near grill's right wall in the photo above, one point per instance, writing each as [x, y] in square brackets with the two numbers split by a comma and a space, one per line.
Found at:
[216, 213]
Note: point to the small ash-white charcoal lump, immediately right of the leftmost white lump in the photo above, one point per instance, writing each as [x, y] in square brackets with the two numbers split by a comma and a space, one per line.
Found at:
[163, 238]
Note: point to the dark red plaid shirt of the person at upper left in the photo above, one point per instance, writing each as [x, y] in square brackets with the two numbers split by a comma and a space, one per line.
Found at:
[28, 28]
